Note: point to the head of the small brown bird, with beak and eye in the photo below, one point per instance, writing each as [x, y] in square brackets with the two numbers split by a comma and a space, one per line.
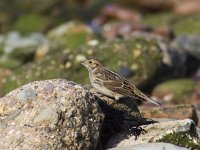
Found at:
[92, 64]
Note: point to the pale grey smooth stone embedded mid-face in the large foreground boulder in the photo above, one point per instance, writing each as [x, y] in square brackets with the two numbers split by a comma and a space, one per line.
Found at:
[47, 114]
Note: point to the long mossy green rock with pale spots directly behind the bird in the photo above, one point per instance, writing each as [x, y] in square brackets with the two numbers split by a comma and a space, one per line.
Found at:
[134, 58]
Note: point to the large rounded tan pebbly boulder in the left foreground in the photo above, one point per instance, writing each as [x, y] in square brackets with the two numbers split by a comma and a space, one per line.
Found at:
[50, 114]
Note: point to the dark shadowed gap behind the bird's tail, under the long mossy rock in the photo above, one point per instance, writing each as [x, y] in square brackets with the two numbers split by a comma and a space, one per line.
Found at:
[165, 72]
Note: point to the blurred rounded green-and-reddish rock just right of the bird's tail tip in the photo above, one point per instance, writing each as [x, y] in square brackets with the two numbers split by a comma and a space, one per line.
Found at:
[177, 91]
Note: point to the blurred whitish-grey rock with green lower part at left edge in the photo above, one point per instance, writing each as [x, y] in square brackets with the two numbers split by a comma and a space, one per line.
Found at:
[17, 49]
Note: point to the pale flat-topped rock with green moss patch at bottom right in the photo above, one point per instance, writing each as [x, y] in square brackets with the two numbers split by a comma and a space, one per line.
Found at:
[181, 132]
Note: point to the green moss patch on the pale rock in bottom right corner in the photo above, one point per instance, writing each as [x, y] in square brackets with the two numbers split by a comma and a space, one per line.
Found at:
[182, 139]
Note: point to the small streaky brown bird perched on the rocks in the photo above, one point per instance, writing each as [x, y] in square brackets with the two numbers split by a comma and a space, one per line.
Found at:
[111, 84]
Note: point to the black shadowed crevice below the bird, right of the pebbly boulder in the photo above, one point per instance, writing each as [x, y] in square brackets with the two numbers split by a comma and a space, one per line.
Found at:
[122, 117]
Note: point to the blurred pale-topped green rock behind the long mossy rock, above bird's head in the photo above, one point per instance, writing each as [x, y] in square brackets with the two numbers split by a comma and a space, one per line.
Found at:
[72, 34]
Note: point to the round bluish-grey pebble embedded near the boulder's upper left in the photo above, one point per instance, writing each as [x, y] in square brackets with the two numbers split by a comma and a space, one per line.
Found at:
[26, 95]
